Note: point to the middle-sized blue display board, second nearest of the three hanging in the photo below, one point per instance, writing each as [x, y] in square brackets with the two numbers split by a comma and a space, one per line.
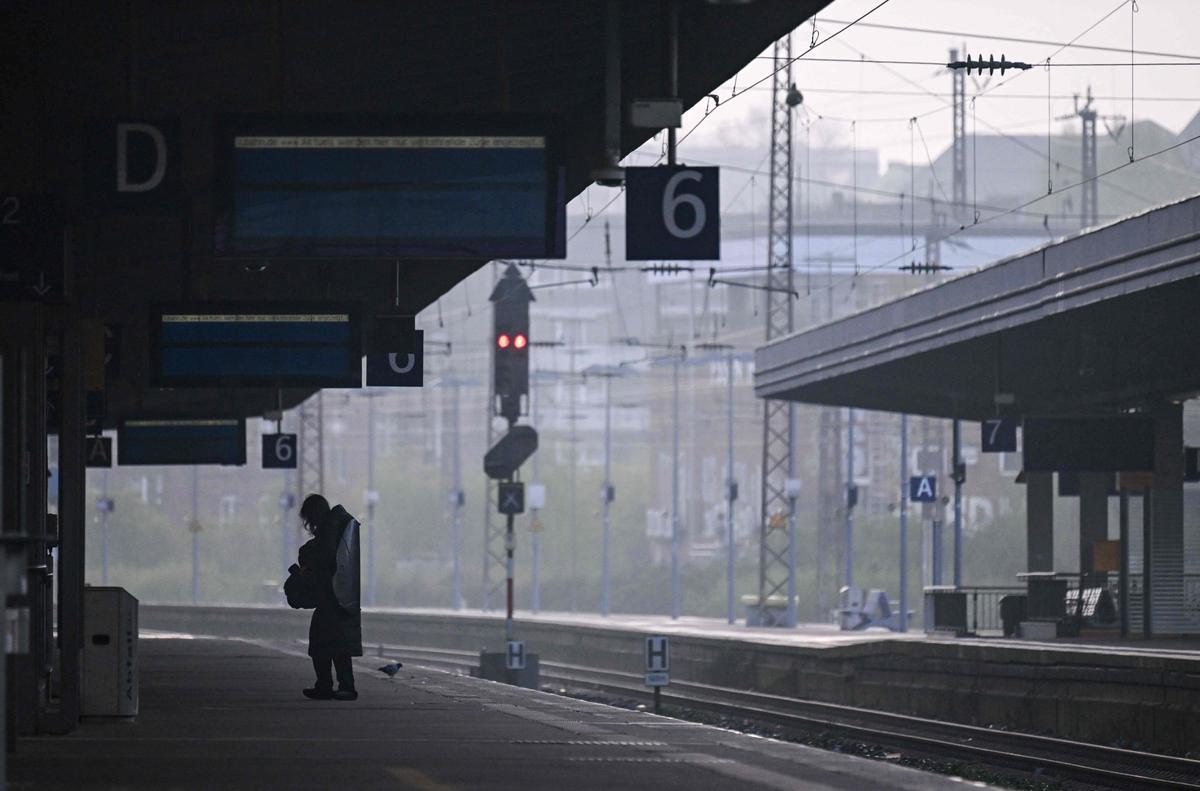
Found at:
[291, 345]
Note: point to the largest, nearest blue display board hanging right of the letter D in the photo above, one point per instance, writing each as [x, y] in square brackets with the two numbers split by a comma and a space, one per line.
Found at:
[388, 188]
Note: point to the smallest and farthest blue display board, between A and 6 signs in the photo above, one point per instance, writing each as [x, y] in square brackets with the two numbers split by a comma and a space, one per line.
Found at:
[182, 442]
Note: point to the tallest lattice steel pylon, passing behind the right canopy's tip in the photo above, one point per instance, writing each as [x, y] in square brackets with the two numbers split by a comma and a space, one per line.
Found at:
[776, 560]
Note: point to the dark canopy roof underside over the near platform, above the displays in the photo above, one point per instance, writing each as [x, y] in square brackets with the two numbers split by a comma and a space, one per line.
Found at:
[67, 63]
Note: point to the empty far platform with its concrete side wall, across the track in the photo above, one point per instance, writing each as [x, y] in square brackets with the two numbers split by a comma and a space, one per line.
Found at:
[1095, 690]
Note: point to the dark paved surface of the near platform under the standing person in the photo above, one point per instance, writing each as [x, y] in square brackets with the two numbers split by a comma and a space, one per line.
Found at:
[229, 714]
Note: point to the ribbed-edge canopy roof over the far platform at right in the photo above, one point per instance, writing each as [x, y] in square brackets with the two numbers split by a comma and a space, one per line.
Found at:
[1099, 322]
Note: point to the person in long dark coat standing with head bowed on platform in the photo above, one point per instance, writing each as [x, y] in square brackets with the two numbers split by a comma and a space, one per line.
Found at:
[329, 564]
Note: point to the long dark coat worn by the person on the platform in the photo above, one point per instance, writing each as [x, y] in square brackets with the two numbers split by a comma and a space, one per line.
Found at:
[333, 632]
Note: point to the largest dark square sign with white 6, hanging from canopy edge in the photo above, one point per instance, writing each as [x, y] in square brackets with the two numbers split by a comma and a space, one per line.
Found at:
[673, 214]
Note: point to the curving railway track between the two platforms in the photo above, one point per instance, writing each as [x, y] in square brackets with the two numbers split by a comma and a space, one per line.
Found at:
[1081, 763]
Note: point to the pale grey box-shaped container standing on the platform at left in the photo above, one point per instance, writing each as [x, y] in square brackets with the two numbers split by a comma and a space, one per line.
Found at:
[110, 654]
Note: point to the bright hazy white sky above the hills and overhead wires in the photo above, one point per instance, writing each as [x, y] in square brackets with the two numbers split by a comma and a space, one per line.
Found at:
[1162, 26]
